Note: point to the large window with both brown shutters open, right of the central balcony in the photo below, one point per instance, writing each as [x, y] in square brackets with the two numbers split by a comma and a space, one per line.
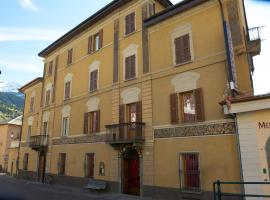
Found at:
[190, 106]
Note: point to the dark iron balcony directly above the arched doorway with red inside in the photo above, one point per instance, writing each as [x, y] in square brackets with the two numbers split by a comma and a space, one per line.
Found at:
[125, 133]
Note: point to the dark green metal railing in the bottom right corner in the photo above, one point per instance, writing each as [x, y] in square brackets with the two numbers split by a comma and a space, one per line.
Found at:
[218, 194]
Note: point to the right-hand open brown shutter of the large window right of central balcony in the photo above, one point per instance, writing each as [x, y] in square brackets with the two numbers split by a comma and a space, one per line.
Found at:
[200, 115]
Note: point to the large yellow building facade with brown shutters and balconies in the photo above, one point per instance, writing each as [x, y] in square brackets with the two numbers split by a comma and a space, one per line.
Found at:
[130, 97]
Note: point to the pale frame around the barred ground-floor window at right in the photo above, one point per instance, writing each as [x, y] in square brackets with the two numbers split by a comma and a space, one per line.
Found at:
[180, 157]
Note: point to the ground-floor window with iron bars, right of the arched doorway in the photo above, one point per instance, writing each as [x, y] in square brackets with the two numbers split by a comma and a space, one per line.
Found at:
[190, 173]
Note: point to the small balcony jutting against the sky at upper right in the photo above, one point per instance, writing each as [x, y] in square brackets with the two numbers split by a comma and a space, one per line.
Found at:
[254, 41]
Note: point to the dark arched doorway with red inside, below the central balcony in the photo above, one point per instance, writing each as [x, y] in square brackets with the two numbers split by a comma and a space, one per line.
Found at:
[131, 172]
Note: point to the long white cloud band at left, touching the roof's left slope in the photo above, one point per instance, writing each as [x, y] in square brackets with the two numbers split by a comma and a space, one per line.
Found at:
[29, 34]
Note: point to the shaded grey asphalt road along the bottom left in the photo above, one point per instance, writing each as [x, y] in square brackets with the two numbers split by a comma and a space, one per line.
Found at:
[14, 189]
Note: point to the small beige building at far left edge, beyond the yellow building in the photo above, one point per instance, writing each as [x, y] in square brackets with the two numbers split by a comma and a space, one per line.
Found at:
[9, 142]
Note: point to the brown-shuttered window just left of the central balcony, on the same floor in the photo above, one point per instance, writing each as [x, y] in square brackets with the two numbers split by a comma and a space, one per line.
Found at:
[92, 122]
